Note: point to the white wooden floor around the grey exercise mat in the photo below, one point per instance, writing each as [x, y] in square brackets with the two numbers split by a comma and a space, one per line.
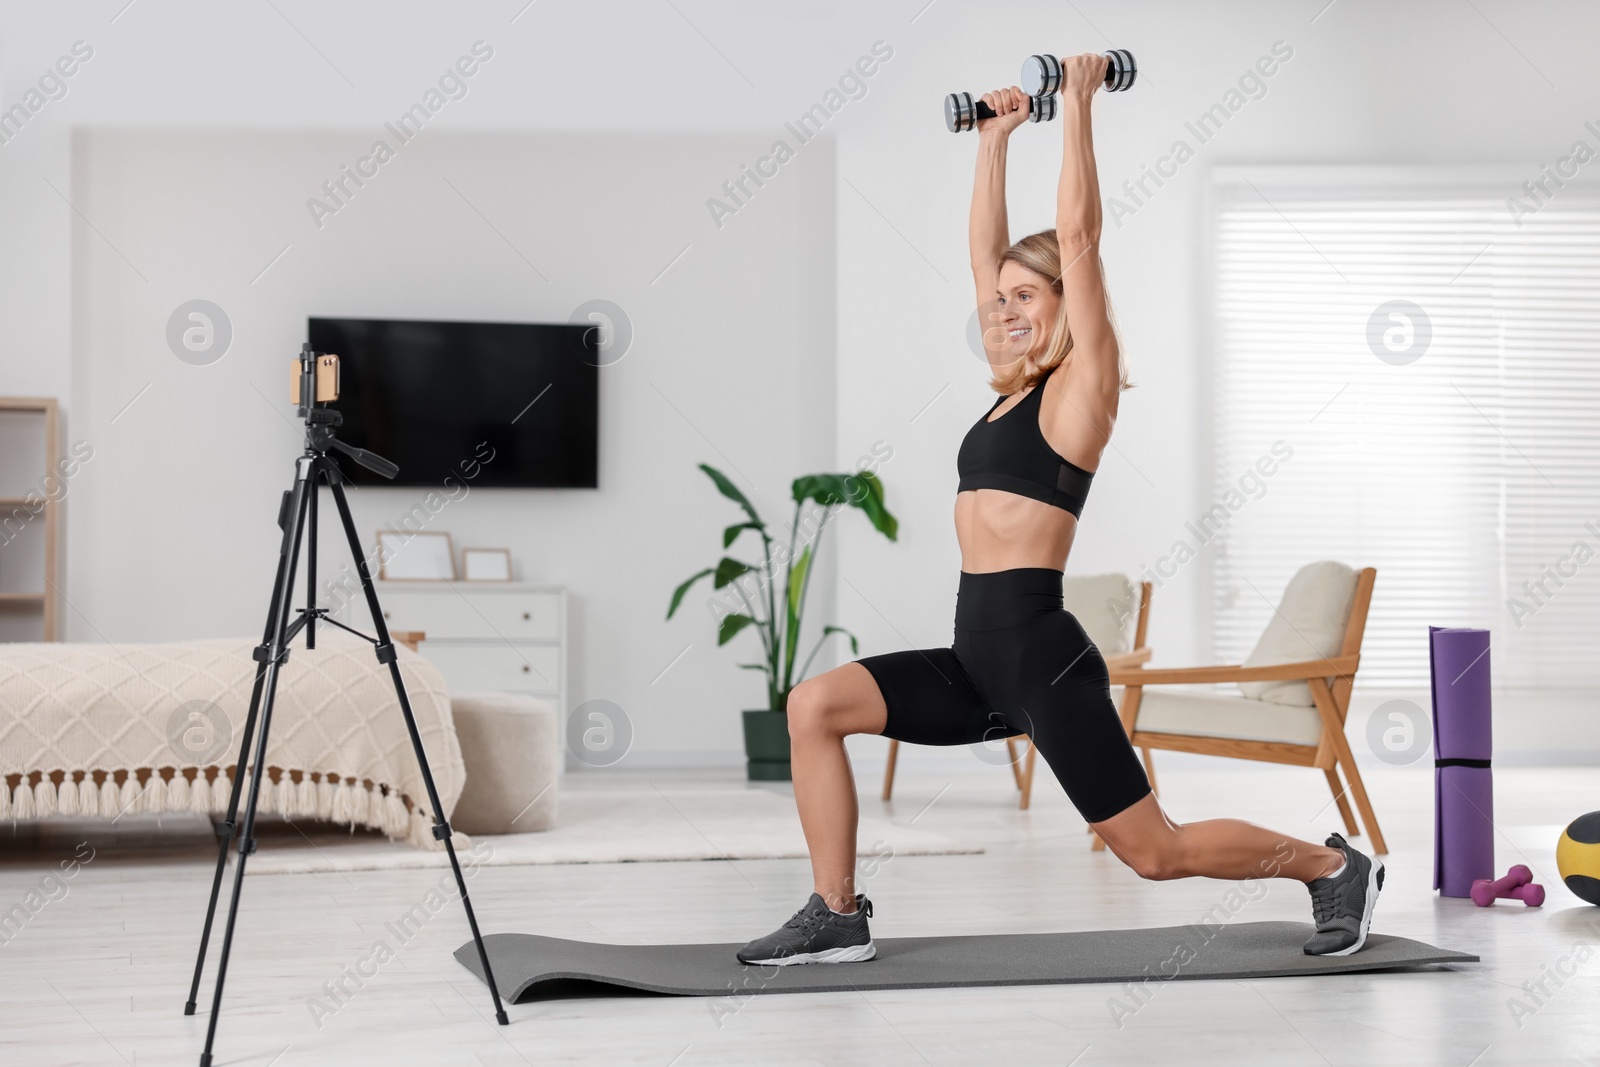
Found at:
[100, 973]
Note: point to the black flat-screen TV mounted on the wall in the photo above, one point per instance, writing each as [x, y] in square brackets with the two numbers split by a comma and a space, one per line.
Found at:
[516, 402]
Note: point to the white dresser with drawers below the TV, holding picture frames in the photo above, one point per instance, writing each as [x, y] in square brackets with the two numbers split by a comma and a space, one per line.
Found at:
[505, 637]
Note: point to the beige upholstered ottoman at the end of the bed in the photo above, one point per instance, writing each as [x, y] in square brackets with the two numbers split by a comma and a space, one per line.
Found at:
[513, 749]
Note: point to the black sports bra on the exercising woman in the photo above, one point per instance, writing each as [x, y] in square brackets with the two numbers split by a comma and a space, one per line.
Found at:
[1014, 455]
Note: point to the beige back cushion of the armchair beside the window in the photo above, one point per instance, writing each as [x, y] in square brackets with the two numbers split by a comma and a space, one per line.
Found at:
[1308, 625]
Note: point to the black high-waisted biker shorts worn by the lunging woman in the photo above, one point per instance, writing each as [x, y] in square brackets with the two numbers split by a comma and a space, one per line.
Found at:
[1020, 665]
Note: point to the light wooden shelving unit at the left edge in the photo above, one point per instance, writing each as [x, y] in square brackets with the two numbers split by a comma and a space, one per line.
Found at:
[30, 519]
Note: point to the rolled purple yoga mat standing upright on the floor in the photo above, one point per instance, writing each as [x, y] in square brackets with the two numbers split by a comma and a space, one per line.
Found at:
[1463, 745]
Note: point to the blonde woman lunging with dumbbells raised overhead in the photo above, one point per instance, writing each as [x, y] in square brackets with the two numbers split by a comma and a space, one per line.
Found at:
[1020, 663]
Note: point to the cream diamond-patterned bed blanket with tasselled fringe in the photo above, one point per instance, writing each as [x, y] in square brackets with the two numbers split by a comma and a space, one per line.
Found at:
[110, 730]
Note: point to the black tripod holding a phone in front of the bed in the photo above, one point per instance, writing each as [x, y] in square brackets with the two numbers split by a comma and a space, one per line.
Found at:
[298, 511]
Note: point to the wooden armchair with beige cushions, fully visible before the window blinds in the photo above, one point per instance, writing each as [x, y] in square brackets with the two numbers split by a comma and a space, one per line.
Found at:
[1295, 692]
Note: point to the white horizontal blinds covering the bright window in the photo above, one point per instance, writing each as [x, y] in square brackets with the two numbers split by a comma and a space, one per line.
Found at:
[1450, 441]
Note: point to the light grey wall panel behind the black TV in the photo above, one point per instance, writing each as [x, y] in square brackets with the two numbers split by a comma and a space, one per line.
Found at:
[177, 510]
